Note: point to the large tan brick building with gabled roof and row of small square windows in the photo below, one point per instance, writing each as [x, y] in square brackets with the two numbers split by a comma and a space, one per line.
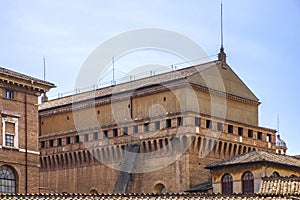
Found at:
[154, 134]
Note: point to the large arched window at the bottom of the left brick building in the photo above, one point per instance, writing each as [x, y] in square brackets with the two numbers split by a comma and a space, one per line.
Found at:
[7, 180]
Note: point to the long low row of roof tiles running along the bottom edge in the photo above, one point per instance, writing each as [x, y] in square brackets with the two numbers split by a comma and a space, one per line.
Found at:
[178, 196]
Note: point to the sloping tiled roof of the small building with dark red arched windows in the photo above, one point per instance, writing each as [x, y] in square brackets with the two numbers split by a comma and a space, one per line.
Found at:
[258, 156]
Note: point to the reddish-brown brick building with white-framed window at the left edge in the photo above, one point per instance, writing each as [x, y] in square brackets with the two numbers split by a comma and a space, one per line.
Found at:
[19, 152]
